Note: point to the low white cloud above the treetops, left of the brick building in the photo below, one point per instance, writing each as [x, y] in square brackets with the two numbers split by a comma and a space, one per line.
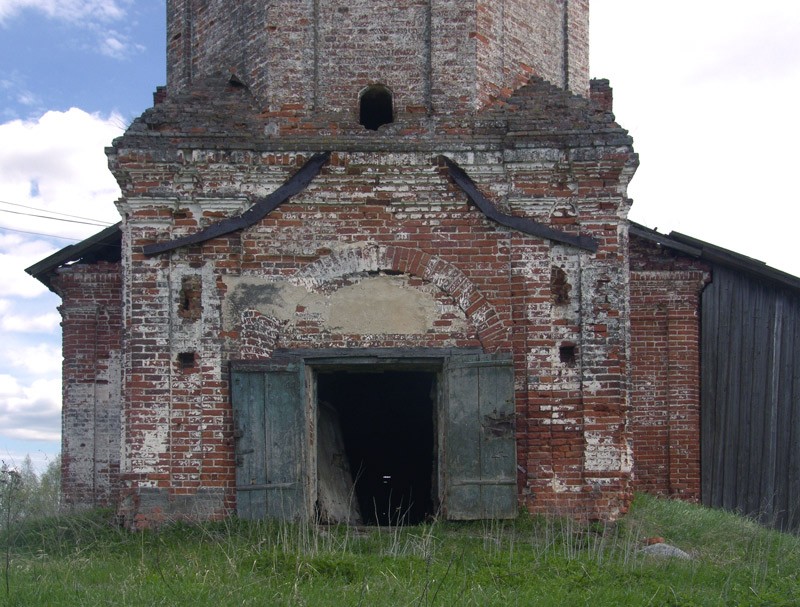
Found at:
[30, 412]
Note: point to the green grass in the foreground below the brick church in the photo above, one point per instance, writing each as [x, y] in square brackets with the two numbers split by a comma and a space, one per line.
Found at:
[530, 561]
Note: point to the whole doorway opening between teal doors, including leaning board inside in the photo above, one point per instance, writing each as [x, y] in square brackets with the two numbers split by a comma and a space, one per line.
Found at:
[376, 446]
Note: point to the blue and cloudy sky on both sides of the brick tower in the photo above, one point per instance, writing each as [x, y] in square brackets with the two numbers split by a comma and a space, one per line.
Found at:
[707, 88]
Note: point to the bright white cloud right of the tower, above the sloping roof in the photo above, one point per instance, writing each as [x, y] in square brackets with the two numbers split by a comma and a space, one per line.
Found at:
[707, 90]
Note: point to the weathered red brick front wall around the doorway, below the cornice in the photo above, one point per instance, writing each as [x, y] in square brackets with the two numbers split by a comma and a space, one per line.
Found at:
[390, 214]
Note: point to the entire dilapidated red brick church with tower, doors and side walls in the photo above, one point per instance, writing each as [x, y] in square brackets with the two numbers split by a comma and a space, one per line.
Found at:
[374, 262]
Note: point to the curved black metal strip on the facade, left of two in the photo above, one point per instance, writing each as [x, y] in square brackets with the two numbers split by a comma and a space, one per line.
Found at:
[260, 209]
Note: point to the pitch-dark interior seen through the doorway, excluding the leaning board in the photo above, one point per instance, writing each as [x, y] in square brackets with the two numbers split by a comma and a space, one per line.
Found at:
[386, 424]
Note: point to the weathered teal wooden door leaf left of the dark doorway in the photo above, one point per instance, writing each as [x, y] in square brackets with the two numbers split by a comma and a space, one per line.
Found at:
[268, 410]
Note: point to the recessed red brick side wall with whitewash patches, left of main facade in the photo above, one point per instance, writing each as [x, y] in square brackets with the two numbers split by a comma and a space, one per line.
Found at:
[92, 341]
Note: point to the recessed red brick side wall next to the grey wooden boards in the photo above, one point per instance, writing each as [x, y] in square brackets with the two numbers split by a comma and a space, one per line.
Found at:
[665, 370]
